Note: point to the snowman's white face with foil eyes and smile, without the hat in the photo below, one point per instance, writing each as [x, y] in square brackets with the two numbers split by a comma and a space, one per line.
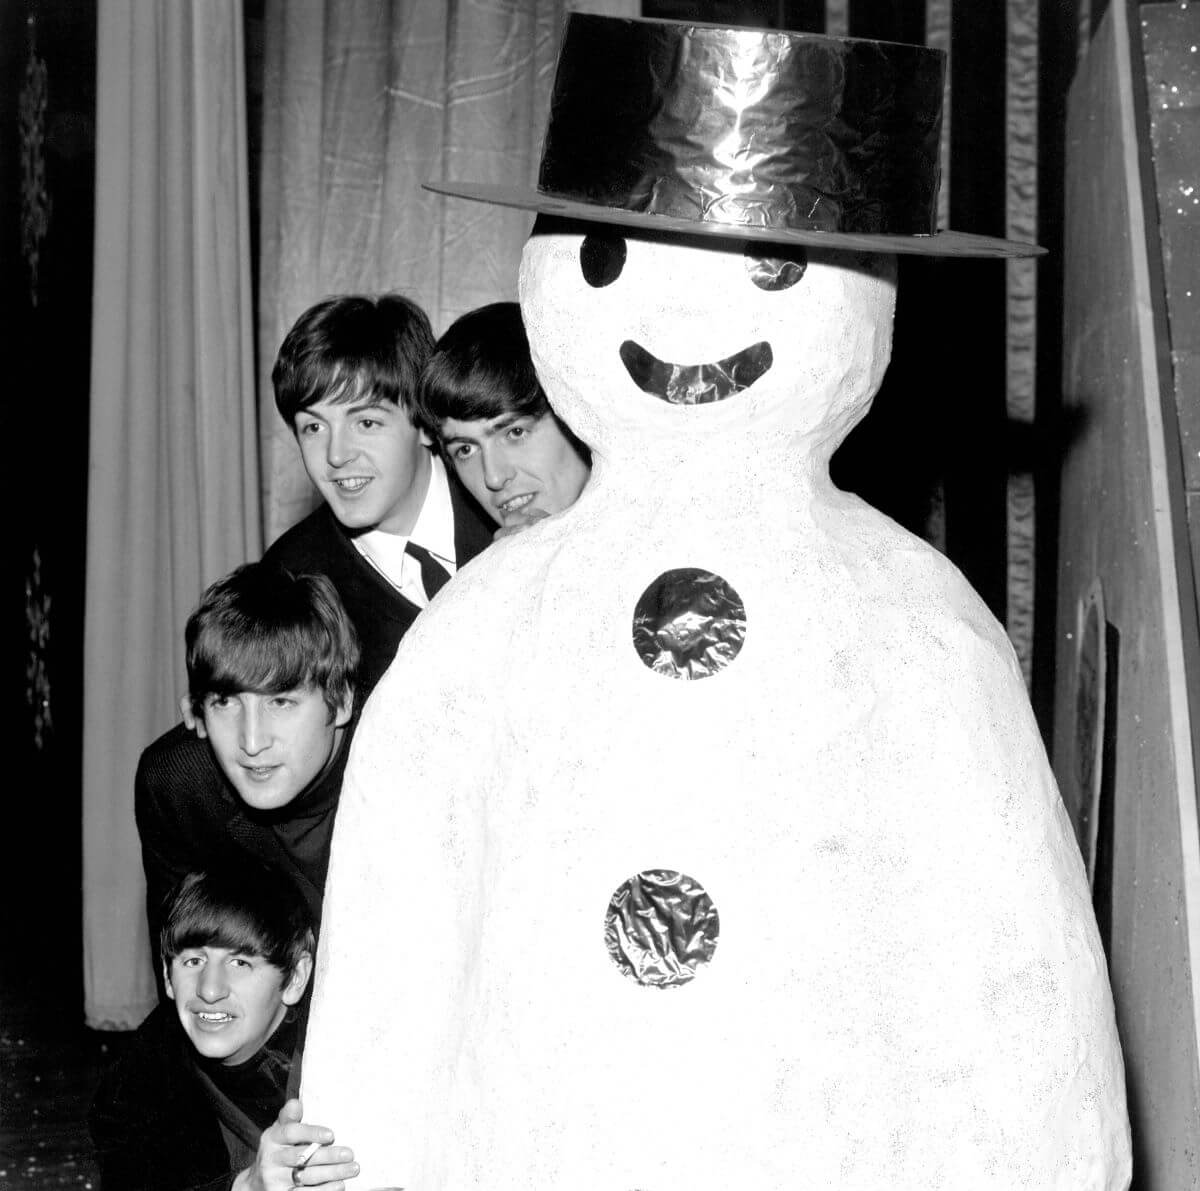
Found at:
[640, 338]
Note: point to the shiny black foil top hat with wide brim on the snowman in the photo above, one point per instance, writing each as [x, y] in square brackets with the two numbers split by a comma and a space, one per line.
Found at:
[752, 134]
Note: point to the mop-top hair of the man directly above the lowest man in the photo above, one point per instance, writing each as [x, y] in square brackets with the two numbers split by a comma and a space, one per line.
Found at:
[265, 630]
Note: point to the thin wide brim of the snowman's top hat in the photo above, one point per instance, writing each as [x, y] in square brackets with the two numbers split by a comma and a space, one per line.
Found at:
[940, 244]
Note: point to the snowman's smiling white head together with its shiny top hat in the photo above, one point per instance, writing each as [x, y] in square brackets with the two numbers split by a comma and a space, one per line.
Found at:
[724, 207]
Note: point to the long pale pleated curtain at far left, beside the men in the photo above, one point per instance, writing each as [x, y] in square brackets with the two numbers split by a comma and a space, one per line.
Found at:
[173, 466]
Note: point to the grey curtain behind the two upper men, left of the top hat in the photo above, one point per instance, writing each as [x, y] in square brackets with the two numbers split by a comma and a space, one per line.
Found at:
[364, 100]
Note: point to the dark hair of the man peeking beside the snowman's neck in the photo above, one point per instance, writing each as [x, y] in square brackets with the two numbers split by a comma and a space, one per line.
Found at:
[481, 369]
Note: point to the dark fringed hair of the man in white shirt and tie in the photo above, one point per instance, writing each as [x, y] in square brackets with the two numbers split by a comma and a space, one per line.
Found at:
[352, 349]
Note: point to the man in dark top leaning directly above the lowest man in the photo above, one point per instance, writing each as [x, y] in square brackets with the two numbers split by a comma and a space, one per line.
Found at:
[272, 666]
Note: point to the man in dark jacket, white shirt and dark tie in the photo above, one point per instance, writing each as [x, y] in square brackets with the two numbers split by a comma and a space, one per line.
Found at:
[394, 526]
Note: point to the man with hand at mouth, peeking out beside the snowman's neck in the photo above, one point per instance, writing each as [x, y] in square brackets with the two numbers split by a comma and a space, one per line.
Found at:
[493, 422]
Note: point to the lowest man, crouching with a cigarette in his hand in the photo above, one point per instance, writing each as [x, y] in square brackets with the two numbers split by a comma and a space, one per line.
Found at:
[199, 1098]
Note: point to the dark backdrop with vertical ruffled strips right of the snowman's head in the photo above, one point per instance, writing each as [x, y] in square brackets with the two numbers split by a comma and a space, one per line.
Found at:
[969, 411]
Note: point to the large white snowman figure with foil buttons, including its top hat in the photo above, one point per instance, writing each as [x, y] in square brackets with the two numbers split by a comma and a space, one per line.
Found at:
[701, 837]
